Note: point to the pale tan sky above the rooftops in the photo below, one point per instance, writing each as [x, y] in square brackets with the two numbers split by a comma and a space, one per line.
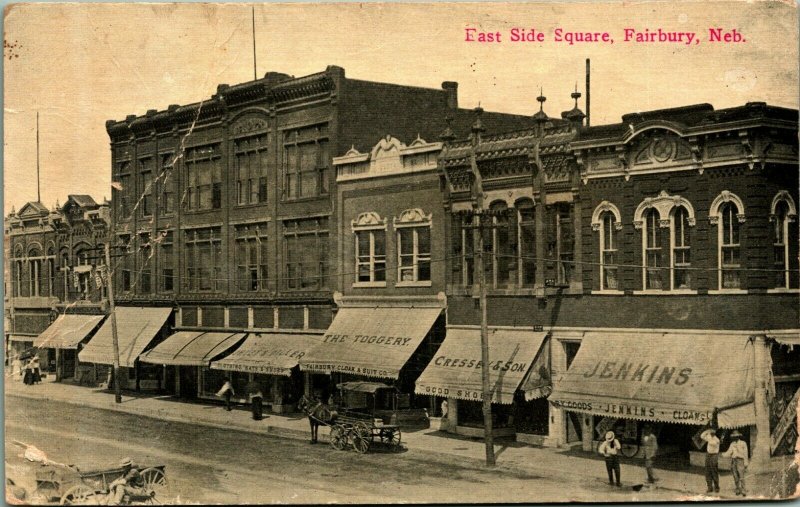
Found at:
[81, 64]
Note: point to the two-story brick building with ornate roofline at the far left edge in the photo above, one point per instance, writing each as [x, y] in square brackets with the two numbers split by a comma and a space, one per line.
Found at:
[49, 261]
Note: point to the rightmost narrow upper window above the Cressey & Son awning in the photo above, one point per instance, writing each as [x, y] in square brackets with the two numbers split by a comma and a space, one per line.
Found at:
[560, 243]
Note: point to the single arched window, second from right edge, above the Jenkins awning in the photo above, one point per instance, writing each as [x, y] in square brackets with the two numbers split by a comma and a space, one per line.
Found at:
[727, 212]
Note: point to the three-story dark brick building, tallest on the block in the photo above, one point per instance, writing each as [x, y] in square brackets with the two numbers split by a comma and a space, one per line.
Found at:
[226, 206]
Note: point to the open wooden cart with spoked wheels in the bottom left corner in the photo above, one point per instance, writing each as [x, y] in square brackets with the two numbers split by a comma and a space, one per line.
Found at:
[71, 486]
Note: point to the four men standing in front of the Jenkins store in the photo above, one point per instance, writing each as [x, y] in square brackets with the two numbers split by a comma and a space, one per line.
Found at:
[737, 451]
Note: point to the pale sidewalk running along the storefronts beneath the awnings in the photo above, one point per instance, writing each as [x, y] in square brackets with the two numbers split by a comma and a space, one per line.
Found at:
[511, 456]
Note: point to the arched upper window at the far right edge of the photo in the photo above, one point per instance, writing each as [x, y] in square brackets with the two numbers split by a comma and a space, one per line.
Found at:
[784, 241]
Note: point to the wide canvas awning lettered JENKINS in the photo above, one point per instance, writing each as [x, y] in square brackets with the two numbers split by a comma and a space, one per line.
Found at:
[666, 377]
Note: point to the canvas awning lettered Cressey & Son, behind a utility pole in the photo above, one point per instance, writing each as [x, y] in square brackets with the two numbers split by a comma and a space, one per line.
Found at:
[455, 370]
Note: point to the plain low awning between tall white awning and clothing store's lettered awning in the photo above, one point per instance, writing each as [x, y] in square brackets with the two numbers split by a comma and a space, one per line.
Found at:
[191, 348]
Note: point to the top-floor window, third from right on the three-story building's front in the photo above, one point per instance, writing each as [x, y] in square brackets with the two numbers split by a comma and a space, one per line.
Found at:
[204, 178]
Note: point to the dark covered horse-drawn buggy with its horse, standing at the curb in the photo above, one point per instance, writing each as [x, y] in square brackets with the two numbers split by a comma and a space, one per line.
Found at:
[357, 420]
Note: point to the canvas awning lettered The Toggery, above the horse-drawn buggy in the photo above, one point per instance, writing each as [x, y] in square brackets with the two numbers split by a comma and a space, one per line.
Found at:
[371, 341]
